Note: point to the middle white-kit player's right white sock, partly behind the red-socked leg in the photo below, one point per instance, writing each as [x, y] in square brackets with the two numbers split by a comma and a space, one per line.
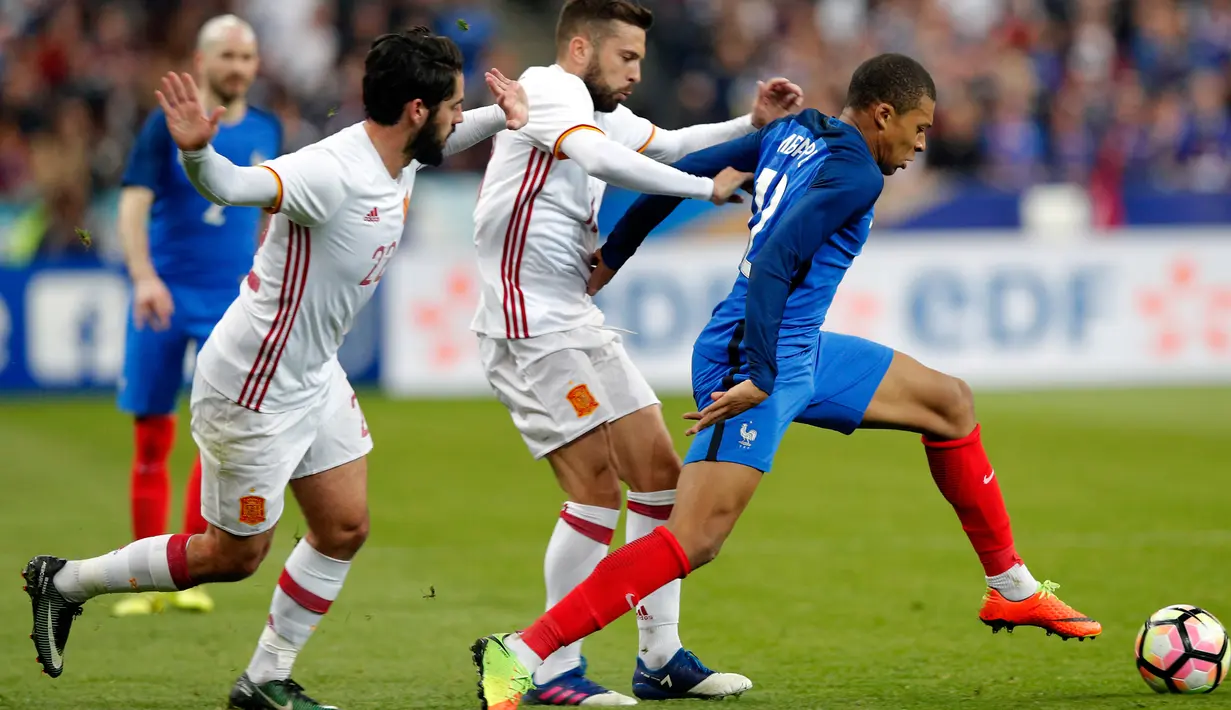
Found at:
[658, 620]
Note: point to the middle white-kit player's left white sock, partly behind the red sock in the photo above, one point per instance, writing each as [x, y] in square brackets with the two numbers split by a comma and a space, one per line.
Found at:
[579, 543]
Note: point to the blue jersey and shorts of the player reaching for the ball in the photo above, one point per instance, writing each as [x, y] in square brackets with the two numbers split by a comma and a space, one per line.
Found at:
[816, 186]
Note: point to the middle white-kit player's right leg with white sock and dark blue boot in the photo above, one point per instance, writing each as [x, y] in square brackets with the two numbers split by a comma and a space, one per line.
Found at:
[651, 467]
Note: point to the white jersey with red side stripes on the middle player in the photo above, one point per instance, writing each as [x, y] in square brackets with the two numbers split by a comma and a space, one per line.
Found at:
[536, 220]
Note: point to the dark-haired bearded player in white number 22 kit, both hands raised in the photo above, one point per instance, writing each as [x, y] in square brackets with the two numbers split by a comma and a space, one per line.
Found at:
[271, 405]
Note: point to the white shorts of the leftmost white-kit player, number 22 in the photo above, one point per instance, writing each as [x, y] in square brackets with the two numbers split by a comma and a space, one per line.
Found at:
[248, 458]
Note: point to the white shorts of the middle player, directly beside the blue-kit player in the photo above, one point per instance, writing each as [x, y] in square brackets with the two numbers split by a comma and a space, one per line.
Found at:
[561, 386]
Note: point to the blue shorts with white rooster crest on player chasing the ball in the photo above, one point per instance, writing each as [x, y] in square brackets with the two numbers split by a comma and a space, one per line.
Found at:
[829, 386]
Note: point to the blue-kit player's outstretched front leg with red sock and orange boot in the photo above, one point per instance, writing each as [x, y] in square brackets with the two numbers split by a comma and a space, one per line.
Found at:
[910, 397]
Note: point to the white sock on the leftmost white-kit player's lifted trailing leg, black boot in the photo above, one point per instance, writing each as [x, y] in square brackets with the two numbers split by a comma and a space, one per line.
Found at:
[156, 564]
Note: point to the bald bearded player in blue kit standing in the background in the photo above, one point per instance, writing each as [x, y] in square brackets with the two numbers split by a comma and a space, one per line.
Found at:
[186, 258]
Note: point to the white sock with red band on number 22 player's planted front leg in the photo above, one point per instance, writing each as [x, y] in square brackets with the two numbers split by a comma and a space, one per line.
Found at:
[308, 586]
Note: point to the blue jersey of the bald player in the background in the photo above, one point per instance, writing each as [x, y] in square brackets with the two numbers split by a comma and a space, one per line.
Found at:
[195, 243]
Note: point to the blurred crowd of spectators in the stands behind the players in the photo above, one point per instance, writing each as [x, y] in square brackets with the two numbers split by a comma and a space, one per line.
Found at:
[1031, 90]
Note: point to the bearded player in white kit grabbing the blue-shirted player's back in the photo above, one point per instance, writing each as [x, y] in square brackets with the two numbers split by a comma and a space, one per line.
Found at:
[567, 381]
